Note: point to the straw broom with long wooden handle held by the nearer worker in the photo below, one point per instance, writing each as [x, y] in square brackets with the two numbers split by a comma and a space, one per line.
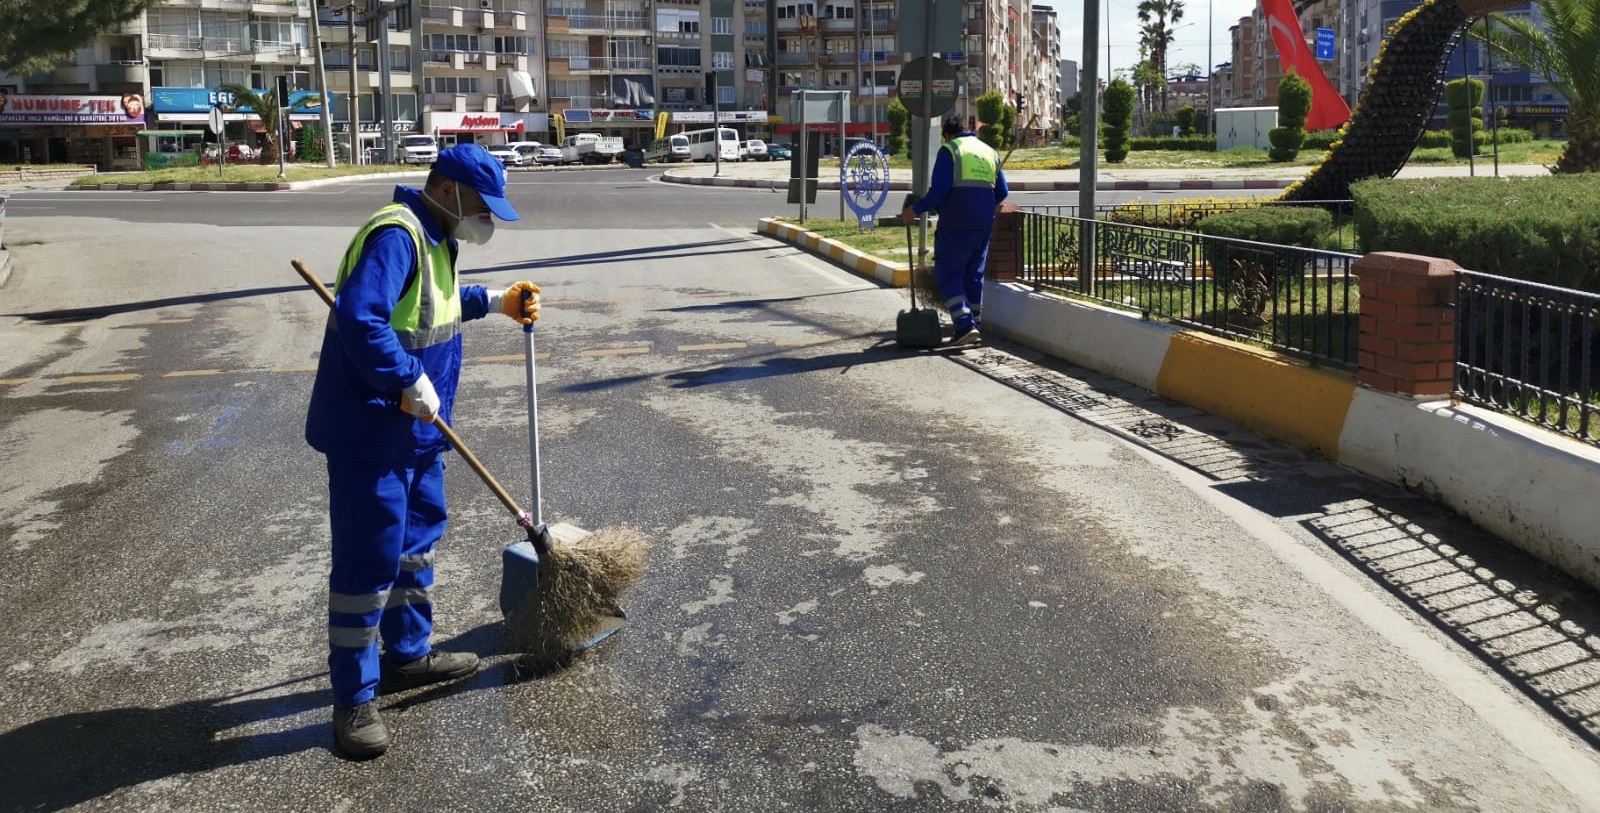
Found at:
[554, 607]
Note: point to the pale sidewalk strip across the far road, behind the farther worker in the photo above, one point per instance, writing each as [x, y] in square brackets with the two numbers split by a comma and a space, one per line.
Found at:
[775, 175]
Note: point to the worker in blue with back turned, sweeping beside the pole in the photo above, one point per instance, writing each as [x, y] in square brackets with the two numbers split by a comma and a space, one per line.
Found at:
[966, 190]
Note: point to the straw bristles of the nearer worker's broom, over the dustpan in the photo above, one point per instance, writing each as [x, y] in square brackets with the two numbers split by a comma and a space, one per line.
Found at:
[578, 591]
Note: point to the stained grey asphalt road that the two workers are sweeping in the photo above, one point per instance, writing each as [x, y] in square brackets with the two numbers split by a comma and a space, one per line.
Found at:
[882, 580]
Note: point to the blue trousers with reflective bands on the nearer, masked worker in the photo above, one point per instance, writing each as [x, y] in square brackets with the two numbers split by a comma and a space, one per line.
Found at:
[386, 519]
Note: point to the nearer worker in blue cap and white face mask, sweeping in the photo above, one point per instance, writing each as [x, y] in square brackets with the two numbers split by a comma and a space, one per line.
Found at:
[391, 358]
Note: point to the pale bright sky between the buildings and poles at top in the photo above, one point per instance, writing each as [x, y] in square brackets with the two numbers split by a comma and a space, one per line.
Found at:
[1190, 46]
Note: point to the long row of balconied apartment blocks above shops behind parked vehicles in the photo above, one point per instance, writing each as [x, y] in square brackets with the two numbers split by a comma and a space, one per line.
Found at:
[497, 71]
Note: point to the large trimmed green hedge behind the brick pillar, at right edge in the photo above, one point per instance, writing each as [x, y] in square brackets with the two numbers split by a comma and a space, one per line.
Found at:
[1540, 230]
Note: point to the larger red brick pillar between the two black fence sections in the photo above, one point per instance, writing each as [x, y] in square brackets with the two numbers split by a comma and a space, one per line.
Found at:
[1409, 324]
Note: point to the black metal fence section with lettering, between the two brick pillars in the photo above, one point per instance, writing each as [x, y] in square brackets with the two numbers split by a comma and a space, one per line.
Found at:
[1302, 302]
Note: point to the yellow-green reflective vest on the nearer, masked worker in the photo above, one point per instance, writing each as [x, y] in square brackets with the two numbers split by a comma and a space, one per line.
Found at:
[430, 311]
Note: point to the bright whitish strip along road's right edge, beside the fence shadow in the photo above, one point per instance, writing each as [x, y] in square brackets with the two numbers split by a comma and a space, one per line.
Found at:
[1519, 723]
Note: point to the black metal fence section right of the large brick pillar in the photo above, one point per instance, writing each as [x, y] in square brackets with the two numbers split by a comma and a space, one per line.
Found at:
[1527, 350]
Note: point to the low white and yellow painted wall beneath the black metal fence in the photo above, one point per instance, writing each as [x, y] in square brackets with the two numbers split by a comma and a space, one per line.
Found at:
[1532, 487]
